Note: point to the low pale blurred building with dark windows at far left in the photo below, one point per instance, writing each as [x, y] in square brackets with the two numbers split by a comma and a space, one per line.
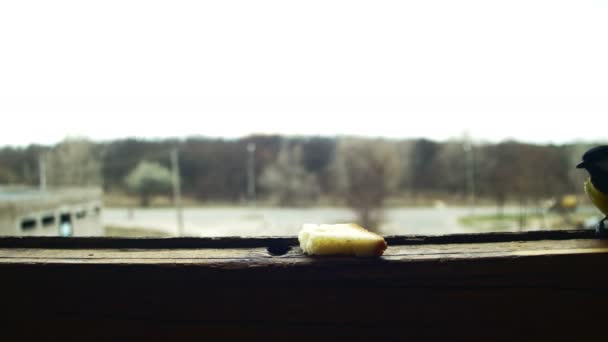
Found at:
[61, 212]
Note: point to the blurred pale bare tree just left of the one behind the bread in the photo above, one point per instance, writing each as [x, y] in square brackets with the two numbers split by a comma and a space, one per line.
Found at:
[287, 180]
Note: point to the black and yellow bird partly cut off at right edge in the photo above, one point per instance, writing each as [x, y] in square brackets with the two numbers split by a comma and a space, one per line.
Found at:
[595, 161]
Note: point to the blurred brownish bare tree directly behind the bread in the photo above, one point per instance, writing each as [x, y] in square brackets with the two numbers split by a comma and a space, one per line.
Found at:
[365, 173]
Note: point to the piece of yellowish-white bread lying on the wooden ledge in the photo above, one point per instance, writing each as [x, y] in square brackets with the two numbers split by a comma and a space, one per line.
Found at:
[340, 239]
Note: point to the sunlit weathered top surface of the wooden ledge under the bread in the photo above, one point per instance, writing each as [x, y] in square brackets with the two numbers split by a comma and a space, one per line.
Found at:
[295, 256]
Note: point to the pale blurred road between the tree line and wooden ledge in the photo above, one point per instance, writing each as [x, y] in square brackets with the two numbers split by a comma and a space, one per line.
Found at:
[243, 221]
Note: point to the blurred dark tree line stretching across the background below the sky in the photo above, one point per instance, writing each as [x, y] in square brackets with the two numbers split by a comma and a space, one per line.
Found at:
[296, 171]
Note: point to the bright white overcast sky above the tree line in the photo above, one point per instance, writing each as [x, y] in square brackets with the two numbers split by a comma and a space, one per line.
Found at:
[530, 70]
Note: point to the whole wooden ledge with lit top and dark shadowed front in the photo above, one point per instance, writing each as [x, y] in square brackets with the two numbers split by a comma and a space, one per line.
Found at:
[521, 290]
